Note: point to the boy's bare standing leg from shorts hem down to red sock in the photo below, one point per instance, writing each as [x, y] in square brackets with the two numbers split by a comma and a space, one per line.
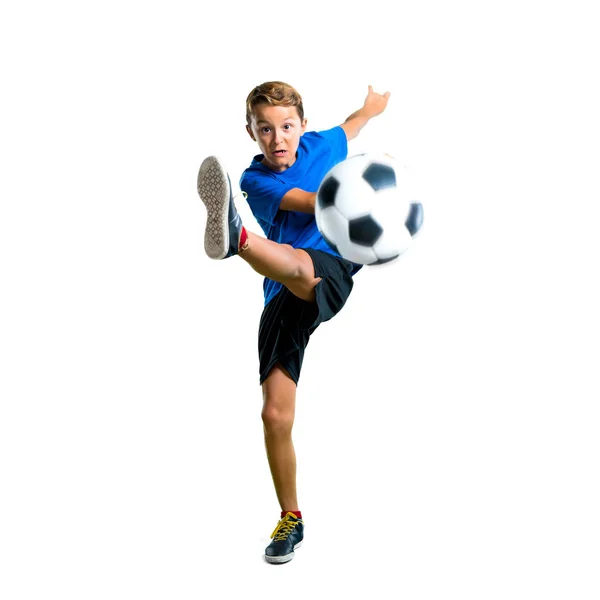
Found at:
[279, 403]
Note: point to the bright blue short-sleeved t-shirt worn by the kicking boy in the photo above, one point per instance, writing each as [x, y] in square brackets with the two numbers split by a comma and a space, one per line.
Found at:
[318, 152]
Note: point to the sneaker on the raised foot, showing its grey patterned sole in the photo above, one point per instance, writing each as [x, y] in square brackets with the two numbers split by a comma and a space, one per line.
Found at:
[223, 223]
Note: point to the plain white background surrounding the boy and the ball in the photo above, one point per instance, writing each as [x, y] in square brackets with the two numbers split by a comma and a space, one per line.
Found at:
[447, 419]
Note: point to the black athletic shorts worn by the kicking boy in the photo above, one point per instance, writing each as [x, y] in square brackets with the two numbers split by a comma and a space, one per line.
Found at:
[287, 322]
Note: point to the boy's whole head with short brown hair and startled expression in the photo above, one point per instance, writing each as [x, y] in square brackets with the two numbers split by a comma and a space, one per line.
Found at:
[275, 121]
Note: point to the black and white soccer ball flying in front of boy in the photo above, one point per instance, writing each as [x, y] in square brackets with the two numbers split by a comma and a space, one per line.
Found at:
[362, 212]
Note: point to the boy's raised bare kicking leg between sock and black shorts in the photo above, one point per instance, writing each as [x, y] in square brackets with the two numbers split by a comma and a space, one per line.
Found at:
[283, 263]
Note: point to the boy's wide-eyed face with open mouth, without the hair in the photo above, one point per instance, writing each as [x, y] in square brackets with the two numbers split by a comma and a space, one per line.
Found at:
[277, 131]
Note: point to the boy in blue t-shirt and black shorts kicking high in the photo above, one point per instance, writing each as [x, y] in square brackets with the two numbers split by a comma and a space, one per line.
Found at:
[305, 281]
